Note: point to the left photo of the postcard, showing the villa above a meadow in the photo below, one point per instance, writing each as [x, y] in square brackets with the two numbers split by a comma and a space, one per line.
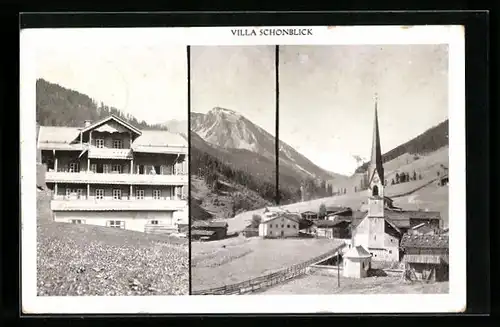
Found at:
[111, 165]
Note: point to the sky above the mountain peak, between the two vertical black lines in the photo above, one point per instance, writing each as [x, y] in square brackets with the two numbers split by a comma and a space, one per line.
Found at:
[241, 78]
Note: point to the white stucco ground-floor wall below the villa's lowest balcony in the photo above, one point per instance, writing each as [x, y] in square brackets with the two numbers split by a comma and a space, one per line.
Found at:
[134, 220]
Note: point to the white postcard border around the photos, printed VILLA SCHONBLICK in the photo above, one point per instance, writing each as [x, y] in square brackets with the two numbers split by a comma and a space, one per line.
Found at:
[455, 301]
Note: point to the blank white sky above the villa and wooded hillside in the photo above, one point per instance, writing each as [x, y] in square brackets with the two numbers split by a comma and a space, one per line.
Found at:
[137, 73]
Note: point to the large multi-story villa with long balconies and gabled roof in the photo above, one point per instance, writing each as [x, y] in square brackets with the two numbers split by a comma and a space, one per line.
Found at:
[110, 173]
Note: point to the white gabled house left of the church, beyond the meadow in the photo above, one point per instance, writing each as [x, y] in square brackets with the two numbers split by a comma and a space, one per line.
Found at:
[280, 225]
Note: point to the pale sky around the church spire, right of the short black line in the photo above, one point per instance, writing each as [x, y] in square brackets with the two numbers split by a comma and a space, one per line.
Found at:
[327, 96]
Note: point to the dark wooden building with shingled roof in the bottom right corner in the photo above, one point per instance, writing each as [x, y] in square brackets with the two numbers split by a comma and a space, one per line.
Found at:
[426, 257]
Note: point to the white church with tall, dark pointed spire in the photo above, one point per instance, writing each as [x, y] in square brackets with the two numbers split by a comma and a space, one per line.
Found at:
[378, 231]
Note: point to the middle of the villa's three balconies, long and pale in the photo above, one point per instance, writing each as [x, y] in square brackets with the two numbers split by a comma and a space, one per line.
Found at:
[115, 178]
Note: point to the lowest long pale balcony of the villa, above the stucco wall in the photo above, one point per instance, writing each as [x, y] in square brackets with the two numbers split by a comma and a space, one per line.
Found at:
[117, 205]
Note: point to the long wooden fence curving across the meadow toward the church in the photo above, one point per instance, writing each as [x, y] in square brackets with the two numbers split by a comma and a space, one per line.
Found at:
[269, 280]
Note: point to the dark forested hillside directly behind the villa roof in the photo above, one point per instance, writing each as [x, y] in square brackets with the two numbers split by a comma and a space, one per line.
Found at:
[59, 106]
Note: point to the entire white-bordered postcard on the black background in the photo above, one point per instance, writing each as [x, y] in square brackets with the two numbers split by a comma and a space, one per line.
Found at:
[305, 169]
